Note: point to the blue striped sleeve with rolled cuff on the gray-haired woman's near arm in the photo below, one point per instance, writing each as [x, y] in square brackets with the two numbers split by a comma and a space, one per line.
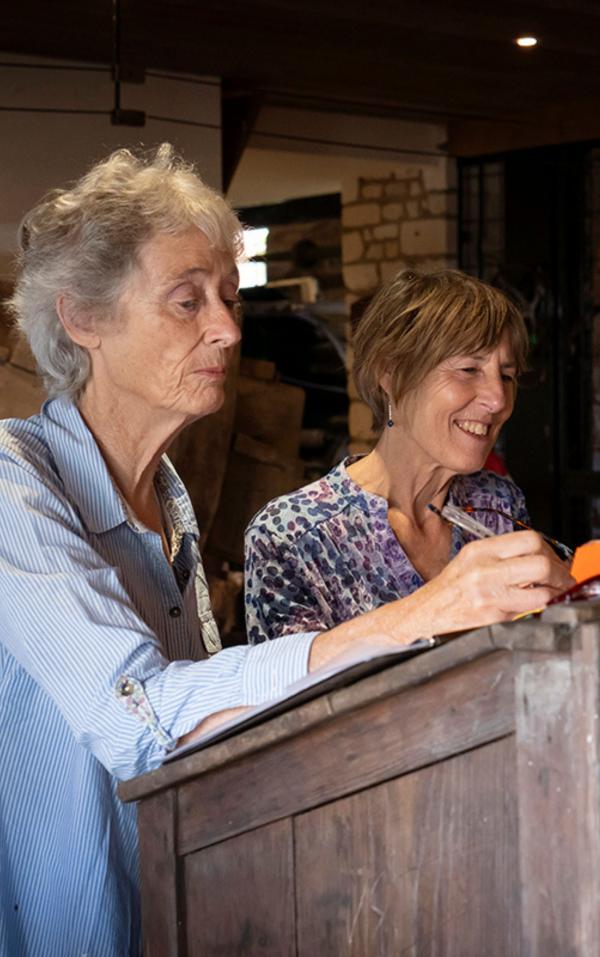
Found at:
[69, 622]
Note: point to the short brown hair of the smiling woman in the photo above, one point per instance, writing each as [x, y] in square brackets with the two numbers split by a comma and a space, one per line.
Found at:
[419, 319]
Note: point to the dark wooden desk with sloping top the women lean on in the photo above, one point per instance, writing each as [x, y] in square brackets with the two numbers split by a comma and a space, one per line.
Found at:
[447, 806]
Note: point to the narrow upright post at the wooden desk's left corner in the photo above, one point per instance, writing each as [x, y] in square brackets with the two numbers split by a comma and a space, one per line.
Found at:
[156, 827]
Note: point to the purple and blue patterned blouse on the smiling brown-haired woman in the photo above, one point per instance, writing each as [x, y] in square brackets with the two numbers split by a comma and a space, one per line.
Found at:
[326, 553]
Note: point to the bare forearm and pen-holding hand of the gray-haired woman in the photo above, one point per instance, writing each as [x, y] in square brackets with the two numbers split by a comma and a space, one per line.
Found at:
[490, 580]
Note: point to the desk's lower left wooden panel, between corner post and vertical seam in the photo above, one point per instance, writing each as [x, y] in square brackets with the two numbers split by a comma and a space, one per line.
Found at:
[240, 896]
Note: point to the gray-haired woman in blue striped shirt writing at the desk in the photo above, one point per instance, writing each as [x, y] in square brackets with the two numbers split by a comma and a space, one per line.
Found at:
[128, 297]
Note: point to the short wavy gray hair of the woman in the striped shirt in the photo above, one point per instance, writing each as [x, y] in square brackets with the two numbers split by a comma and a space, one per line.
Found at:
[85, 241]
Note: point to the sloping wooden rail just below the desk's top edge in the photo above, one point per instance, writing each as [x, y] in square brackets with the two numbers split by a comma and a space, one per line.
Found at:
[451, 713]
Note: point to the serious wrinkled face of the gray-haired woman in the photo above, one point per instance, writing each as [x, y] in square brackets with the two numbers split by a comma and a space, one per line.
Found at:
[174, 329]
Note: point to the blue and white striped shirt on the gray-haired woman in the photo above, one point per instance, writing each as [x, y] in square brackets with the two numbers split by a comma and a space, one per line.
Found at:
[90, 611]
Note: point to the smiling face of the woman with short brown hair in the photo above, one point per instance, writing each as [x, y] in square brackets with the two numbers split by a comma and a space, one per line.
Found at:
[452, 419]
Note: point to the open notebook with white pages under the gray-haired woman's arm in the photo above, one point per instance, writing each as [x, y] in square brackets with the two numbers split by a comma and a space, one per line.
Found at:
[344, 672]
